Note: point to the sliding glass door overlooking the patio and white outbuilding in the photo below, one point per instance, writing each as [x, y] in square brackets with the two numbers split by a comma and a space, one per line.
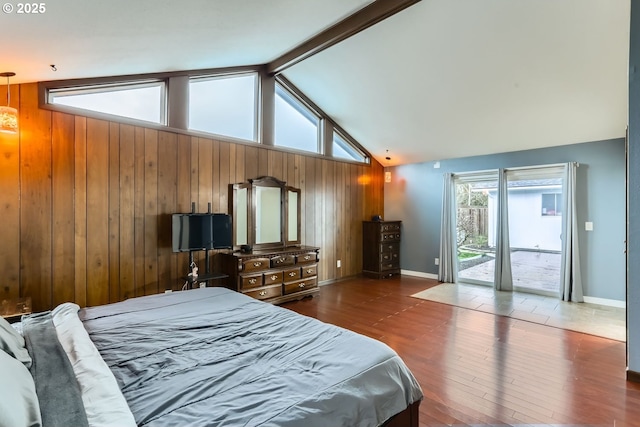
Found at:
[534, 211]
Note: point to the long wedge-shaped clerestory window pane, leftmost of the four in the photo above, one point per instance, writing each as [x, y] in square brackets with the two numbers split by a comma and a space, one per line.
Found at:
[141, 101]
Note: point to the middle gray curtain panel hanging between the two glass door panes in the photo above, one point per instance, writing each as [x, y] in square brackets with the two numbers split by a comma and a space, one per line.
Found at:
[503, 278]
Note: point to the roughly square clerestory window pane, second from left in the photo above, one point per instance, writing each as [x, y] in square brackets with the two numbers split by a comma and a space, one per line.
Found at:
[224, 105]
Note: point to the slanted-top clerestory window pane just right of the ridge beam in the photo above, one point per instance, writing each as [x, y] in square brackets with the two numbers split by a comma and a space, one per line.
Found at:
[296, 126]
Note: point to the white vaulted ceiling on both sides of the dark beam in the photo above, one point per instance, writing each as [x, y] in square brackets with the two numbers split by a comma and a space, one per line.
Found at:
[441, 79]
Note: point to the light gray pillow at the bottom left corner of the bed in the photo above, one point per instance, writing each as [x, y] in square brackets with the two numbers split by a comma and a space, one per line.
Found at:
[18, 400]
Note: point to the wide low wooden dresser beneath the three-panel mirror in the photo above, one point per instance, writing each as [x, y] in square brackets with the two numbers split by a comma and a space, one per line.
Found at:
[274, 275]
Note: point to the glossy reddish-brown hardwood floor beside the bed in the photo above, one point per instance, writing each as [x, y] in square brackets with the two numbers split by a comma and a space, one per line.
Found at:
[477, 368]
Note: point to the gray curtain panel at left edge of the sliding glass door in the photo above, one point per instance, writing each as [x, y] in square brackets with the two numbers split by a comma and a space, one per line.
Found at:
[447, 271]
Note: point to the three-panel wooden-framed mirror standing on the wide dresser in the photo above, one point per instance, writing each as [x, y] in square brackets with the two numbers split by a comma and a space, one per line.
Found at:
[266, 213]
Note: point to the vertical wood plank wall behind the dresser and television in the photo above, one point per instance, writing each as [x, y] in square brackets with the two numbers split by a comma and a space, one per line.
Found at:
[86, 203]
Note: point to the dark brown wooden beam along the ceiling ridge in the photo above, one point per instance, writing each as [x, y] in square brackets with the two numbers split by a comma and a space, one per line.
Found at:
[353, 24]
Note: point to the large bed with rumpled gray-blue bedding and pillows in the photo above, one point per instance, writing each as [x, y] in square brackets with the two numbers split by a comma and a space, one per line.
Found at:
[203, 357]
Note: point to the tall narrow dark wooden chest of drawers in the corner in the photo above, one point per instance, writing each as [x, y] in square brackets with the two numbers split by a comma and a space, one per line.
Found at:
[381, 248]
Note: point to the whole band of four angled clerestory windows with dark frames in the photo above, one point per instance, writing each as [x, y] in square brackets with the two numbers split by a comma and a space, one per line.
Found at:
[227, 104]
